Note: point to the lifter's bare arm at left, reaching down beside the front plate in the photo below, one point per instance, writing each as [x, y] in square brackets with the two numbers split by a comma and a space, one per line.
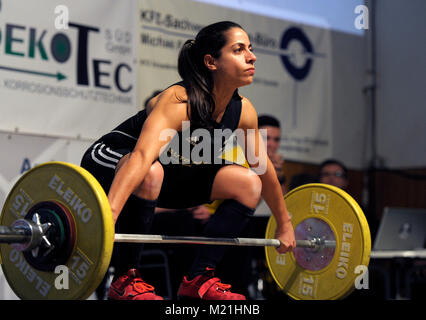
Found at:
[168, 113]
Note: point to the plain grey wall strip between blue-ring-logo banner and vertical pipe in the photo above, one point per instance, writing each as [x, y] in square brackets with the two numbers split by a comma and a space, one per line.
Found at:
[350, 109]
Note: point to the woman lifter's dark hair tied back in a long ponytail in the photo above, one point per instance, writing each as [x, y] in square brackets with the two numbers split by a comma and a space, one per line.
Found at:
[197, 78]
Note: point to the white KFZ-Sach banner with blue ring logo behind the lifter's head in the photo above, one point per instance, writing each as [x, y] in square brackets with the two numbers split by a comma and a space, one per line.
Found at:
[293, 68]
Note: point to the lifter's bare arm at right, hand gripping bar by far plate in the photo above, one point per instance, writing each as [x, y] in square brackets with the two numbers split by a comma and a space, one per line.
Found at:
[258, 160]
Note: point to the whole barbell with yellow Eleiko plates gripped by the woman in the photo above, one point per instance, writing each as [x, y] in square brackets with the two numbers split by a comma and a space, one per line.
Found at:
[58, 214]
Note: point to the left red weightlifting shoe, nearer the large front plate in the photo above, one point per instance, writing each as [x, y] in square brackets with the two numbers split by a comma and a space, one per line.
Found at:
[132, 287]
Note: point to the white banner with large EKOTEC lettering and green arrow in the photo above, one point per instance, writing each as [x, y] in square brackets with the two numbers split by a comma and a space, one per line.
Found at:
[68, 68]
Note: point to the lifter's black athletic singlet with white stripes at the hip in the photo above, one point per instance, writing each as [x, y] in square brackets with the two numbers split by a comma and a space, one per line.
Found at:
[187, 181]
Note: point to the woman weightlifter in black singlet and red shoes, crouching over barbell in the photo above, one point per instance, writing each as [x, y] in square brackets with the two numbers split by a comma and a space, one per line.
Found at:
[128, 163]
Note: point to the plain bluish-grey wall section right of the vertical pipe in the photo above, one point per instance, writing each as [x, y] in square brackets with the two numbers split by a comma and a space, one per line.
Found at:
[401, 78]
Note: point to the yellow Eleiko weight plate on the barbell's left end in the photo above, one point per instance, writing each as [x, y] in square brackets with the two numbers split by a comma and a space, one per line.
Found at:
[78, 191]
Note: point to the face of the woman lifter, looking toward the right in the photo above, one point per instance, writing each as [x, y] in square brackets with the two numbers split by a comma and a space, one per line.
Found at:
[236, 62]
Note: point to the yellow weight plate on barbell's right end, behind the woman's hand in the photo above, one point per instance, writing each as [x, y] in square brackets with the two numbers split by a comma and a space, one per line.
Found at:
[321, 210]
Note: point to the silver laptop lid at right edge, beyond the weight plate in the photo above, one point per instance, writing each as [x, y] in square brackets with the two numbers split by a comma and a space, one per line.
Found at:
[401, 229]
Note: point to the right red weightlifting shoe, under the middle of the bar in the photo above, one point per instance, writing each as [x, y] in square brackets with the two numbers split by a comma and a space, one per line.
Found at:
[207, 287]
